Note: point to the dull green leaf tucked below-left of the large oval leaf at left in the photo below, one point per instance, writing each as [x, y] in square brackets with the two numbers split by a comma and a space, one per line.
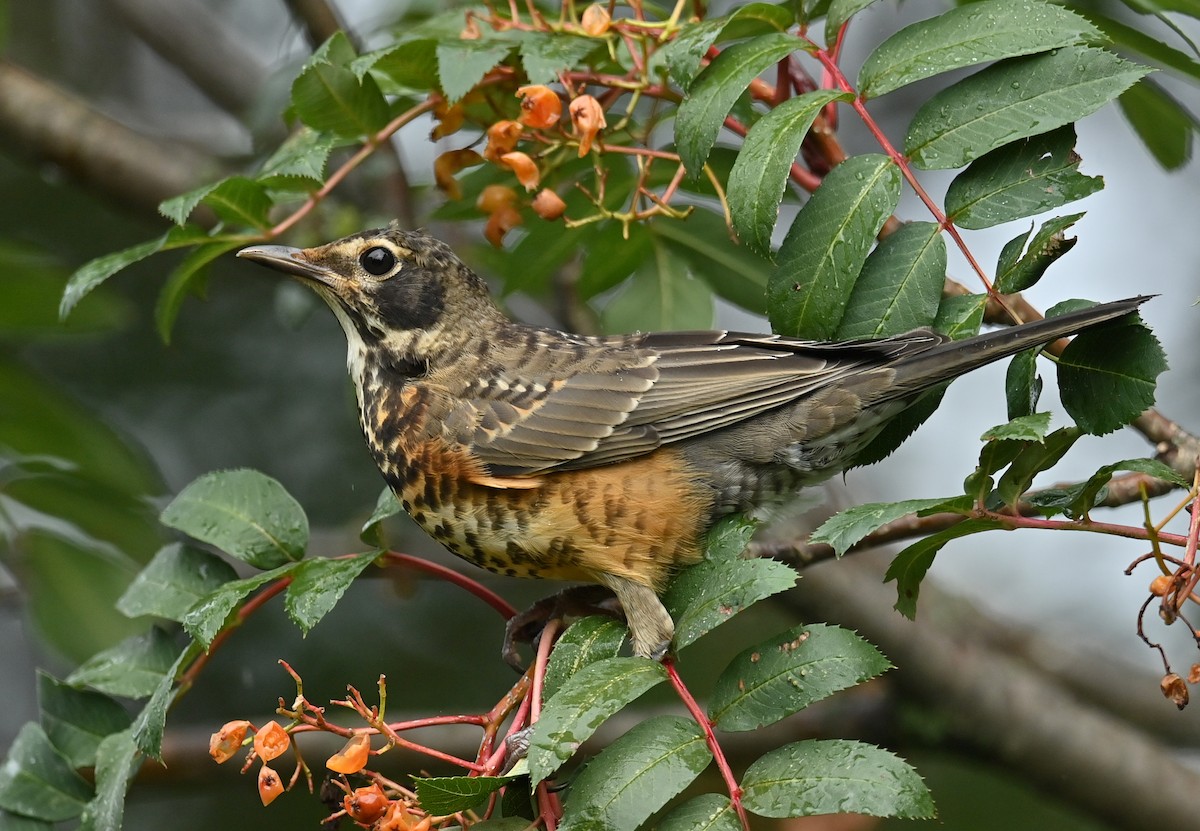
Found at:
[176, 581]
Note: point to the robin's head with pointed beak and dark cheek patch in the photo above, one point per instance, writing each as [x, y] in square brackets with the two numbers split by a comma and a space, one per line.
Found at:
[398, 291]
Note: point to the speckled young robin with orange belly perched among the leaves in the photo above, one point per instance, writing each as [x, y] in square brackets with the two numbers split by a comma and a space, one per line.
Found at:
[539, 453]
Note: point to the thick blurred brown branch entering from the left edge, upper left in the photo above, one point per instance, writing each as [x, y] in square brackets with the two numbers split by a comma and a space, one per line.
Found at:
[51, 125]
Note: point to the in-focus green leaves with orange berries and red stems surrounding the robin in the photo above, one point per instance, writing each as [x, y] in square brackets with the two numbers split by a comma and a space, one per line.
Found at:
[634, 174]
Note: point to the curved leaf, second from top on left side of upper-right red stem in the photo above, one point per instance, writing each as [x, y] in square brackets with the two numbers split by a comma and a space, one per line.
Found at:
[760, 175]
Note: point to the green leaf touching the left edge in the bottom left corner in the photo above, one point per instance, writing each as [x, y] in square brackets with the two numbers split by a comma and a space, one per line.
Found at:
[37, 782]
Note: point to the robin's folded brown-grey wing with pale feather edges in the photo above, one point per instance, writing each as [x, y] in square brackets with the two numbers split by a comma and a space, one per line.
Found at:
[617, 399]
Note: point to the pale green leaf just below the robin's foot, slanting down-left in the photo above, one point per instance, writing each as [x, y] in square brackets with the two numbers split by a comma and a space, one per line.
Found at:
[584, 703]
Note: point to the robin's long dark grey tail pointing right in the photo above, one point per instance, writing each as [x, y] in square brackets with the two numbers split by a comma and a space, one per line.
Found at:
[955, 358]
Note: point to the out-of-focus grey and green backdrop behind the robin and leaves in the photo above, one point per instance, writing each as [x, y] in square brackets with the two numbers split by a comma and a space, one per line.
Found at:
[110, 106]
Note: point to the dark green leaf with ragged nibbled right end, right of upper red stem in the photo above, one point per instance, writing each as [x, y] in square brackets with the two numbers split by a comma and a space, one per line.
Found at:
[1021, 180]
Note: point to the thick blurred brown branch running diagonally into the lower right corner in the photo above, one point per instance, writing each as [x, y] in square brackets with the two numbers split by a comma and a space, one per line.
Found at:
[1007, 710]
